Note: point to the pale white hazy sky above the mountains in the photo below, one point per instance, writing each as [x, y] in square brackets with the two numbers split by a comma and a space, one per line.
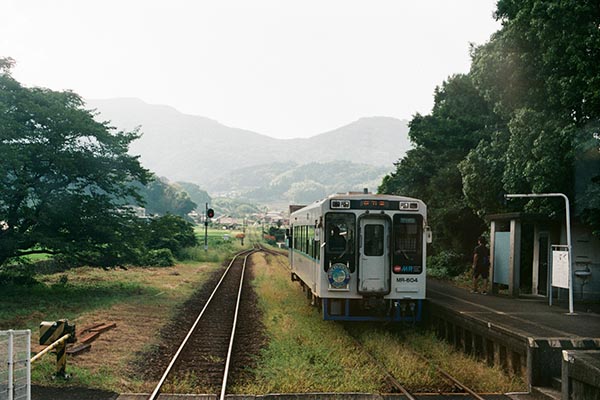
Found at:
[280, 68]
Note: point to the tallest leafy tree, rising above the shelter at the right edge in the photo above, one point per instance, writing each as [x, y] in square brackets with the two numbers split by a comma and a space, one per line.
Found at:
[541, 75]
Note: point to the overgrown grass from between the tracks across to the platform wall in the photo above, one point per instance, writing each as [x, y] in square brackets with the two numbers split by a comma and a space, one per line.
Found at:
[306, 354]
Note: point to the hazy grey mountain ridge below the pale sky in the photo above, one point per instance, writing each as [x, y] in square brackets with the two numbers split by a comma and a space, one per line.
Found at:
[222, 159]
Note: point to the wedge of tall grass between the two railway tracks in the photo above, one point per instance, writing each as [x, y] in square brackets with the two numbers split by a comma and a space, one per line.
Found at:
[304, 353]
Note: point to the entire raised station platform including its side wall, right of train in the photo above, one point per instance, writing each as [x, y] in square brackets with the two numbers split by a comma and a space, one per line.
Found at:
[525, 336]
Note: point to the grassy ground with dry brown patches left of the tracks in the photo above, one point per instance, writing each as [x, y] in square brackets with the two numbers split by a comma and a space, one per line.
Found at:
[138, 300]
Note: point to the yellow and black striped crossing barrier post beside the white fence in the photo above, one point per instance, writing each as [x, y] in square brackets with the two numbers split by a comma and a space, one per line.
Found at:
[56, 335]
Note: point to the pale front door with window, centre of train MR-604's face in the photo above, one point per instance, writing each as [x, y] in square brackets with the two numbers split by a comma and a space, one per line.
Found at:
[374, 258]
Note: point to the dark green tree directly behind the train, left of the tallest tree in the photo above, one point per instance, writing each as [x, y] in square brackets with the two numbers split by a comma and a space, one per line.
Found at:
[459, 121]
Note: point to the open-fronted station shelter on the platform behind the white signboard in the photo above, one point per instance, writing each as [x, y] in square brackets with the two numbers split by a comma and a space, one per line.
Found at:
[521, 246]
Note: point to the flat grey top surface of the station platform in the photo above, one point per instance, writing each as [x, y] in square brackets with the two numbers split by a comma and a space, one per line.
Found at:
[528, 318]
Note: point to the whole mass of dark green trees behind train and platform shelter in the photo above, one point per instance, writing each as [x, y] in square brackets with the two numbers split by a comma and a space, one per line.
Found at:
[525, 119]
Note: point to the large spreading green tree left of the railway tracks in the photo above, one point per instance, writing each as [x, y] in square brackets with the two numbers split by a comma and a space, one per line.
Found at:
[63, 177]
